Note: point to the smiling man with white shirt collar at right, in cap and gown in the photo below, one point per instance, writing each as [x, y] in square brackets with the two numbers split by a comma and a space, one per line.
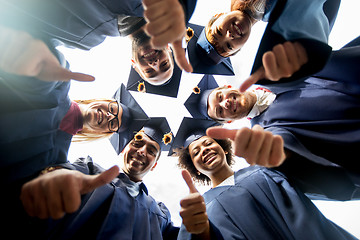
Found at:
[317, 117]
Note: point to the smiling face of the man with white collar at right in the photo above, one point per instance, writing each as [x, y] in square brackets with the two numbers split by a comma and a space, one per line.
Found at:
[228, 104]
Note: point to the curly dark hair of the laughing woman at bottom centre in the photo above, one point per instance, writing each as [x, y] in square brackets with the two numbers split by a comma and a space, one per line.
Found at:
[185, 161]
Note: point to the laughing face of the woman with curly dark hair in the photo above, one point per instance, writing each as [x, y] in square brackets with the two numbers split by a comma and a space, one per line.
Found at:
[207, 155]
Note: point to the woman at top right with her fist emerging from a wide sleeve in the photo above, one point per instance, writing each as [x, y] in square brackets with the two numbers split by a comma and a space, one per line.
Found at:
[293, 45]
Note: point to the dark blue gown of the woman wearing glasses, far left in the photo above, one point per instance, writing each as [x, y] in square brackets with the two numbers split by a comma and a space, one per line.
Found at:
[31, 112]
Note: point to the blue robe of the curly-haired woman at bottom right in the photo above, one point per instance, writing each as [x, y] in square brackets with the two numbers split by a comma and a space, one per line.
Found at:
[263, 204]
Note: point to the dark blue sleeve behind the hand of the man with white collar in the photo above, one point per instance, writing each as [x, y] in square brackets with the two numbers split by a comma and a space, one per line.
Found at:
[313, 175]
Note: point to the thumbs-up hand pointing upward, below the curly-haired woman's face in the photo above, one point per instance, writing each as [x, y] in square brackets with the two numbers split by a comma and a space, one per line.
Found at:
[193, 209]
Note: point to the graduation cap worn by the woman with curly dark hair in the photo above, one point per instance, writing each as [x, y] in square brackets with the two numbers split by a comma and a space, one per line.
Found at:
[190, 130]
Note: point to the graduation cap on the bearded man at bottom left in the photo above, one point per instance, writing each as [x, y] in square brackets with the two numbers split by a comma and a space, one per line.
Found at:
[158, 129]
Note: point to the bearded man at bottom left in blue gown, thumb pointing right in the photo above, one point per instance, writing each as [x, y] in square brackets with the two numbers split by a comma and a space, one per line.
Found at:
[121, 209]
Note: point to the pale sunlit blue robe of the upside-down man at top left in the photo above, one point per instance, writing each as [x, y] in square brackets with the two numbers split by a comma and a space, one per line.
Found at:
[81, 24]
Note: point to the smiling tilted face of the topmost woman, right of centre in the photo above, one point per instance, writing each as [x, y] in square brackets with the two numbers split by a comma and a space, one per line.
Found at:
[229, 32]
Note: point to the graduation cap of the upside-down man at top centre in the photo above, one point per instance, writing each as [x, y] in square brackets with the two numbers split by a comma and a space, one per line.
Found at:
[170, 88]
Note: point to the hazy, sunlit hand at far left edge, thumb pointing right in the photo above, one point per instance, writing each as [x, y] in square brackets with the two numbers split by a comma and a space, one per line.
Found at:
[21, 54]
